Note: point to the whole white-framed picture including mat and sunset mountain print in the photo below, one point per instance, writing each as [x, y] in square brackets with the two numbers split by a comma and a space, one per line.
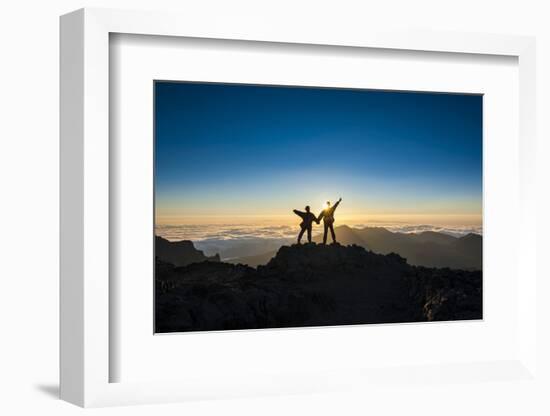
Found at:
[275, 212]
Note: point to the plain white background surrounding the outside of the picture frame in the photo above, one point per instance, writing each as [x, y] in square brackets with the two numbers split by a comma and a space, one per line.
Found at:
[29, 209]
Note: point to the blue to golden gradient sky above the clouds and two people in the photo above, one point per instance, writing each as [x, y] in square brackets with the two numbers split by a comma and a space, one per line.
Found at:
[233, 151]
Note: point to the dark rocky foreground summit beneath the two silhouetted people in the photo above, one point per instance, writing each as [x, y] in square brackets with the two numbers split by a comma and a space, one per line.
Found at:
[312, 285]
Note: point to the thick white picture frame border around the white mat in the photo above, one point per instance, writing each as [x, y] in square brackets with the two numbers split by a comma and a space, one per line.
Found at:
[85, 211]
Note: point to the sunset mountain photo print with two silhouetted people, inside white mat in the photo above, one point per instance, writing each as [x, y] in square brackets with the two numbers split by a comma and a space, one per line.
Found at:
[286, 206]
